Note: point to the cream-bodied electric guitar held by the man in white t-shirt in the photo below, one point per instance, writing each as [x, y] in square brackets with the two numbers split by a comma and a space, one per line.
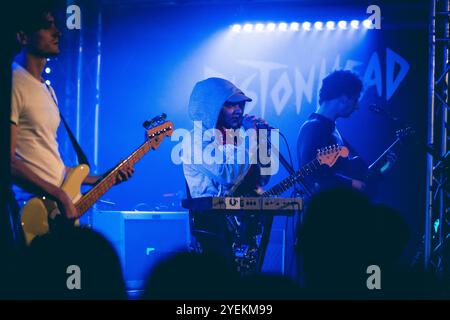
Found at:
[40, 214]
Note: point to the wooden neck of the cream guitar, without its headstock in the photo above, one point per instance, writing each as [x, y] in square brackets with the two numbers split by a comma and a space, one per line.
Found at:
[107, 182]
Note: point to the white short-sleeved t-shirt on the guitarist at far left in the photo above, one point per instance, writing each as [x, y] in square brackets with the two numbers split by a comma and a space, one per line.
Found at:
[36, 115]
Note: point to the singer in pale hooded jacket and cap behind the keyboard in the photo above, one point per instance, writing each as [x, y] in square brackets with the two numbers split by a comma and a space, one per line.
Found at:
[216, 103]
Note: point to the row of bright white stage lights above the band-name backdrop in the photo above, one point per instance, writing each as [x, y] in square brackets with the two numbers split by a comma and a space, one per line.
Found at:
[296, 26]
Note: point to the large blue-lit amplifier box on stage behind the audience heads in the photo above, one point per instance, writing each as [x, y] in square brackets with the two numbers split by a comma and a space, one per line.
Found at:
[142, 239]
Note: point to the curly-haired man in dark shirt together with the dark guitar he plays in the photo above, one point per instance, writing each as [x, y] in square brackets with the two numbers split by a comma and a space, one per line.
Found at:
[338, 98]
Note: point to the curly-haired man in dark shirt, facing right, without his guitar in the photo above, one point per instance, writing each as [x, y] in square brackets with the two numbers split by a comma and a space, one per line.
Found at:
[338, 98]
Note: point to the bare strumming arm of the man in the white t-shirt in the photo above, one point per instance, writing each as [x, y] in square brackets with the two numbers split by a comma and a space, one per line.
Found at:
[20, 172]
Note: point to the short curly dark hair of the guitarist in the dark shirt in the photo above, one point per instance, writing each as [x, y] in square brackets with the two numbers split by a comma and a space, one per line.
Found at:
[338, 83]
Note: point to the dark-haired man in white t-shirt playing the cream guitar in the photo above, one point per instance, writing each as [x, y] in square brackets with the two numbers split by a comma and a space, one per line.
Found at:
[36, 164]
